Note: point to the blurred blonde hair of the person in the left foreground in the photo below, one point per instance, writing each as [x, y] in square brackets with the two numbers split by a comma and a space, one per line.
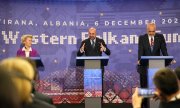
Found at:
[20, 66]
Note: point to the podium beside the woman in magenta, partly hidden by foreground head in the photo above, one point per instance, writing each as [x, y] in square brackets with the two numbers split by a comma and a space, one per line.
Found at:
[39, 64]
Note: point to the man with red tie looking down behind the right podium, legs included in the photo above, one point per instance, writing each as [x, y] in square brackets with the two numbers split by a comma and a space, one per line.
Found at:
[150, 44]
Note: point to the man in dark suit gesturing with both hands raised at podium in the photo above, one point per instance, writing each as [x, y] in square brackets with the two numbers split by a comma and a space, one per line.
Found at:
[93, 46]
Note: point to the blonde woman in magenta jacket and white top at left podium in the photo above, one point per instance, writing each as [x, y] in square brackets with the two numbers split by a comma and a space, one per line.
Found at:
[27, 50]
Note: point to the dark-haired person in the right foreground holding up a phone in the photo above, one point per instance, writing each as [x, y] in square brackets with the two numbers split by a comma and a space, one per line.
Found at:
[166, 89]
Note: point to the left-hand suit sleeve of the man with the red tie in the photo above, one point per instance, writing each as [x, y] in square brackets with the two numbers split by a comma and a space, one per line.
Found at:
[140, 47]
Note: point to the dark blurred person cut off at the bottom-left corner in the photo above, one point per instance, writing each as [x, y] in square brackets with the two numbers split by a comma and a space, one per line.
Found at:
[9, 97]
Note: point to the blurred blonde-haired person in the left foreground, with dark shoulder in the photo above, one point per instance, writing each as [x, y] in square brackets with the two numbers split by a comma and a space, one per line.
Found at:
[23, 76]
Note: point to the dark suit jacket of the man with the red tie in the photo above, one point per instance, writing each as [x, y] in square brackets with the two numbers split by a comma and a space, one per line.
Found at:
[159, 46]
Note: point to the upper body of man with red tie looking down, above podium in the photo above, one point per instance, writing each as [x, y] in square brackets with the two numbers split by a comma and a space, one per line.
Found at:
[152, 43]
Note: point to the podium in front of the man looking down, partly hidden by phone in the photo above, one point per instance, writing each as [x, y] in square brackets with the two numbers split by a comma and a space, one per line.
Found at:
[154, 63]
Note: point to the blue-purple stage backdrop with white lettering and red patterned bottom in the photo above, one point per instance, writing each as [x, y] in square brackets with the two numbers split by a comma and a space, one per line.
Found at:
[58, 27]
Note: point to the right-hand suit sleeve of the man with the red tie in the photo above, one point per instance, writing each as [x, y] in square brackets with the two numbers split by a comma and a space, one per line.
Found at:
[163, 46]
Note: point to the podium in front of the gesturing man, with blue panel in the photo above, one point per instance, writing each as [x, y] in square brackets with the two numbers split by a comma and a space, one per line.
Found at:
[92, 79]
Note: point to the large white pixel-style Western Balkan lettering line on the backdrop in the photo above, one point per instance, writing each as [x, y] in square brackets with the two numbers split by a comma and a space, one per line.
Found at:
[11, 37]
